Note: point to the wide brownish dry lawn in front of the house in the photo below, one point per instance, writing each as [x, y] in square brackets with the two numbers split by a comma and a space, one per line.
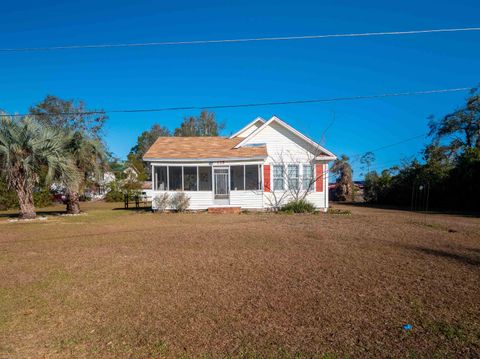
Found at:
[115, 283]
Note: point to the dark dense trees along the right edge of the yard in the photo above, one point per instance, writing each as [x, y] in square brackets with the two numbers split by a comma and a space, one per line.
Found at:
[449, 168]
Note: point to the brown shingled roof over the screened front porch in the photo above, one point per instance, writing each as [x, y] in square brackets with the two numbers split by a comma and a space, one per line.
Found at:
[202, 148]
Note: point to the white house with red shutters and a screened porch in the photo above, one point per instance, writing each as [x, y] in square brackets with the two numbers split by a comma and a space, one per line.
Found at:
[264, 165]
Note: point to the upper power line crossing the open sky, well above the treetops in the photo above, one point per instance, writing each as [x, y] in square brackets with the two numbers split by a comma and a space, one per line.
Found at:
[241, 40]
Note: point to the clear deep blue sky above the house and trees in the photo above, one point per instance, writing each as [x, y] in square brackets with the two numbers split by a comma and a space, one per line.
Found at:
[250, 72]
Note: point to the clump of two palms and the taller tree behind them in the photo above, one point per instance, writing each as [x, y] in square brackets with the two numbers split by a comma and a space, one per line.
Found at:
[57, 142]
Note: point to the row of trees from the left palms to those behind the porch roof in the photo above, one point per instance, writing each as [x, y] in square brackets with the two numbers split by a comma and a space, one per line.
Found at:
[61, 142]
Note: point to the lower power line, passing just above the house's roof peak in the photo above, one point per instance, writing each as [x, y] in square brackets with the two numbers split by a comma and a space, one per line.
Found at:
[258, 104]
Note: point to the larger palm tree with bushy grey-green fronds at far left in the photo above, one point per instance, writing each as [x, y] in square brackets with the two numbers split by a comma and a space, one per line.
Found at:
[26, 148]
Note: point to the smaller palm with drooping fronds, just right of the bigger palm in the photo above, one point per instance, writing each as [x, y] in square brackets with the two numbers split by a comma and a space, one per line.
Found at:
[89, 157]
